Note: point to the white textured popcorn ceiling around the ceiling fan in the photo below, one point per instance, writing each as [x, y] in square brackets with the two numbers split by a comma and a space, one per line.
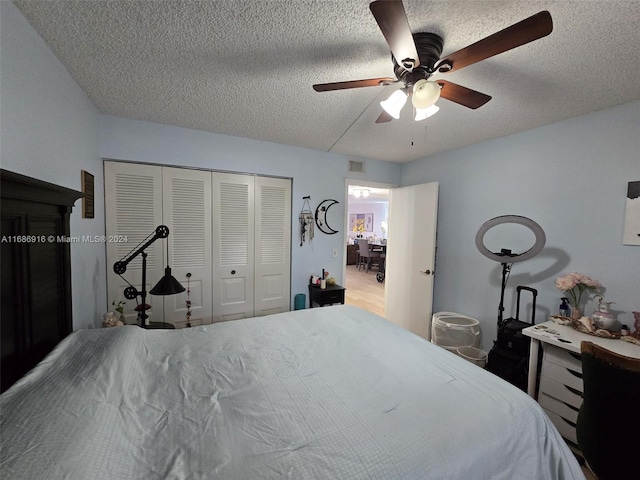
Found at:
[245, 68]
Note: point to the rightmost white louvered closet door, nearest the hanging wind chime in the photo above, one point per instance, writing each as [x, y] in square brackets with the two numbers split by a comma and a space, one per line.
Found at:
[273, 245]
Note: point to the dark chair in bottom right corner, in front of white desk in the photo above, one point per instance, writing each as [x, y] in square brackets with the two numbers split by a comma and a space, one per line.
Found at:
[608, 425]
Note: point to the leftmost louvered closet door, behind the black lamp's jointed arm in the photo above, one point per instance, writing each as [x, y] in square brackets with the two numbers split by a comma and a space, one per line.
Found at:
[133, 210]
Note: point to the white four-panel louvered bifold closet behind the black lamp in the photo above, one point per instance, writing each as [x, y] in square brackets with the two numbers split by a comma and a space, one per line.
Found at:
[229, 242]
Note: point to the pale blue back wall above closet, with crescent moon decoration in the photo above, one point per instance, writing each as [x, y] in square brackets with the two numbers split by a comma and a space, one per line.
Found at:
[317, 174]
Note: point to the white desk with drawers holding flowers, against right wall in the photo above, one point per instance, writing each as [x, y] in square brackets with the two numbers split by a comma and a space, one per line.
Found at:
[560, 389]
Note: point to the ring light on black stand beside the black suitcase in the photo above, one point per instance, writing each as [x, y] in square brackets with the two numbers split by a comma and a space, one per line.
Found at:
[506, 253]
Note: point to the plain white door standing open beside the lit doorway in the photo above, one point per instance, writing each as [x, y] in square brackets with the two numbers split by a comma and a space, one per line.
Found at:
[411, 250]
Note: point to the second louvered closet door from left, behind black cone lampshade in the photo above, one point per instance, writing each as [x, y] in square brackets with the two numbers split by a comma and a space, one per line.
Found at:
[187, 213]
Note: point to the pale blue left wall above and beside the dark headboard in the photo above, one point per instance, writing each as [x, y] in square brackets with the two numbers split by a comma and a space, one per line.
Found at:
[50, 132]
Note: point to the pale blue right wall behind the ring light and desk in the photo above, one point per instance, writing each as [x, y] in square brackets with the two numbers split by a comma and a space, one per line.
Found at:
[571, 178]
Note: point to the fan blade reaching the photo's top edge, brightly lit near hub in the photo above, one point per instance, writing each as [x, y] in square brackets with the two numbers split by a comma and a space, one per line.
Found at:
[393, 22]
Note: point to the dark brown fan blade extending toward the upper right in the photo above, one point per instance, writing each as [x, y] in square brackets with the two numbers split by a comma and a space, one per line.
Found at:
[521, 33]
